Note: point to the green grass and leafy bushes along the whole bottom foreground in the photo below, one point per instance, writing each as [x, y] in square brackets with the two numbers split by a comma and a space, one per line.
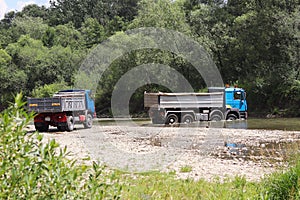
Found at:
[30, 169]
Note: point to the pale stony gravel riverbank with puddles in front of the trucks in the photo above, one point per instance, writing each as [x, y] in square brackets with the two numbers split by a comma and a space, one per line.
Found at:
[207, 152]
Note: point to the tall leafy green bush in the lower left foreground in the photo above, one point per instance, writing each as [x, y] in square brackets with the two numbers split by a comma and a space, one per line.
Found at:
[30, 169]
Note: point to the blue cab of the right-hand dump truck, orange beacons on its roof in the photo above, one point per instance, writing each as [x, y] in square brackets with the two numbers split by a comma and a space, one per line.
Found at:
[235, 98]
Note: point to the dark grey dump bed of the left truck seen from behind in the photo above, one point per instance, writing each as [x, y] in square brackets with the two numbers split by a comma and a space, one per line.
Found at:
[60, 102]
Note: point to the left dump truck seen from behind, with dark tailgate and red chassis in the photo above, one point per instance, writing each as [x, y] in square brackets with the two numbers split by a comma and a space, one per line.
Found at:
[63, 110]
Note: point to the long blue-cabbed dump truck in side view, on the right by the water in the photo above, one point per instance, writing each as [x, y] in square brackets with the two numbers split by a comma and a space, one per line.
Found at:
[216, 105]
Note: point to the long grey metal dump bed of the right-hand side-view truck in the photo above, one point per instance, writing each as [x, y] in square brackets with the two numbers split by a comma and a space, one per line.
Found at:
[184, 100]
